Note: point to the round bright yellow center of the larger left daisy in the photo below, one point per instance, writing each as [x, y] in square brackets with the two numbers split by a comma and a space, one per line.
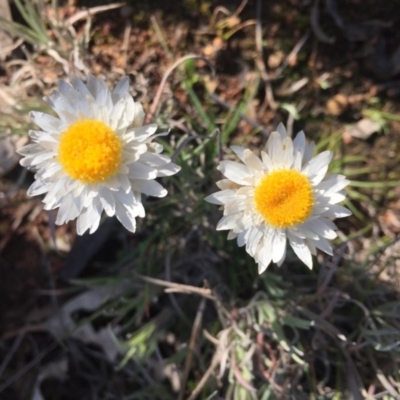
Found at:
[90, 151]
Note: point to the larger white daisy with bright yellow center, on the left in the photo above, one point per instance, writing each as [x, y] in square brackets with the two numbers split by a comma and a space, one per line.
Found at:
[95, 155]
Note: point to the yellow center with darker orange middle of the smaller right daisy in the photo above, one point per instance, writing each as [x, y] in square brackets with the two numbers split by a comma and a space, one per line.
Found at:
[284, 198]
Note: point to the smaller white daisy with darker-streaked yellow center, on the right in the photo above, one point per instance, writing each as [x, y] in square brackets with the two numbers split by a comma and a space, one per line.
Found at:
[284, 196]
